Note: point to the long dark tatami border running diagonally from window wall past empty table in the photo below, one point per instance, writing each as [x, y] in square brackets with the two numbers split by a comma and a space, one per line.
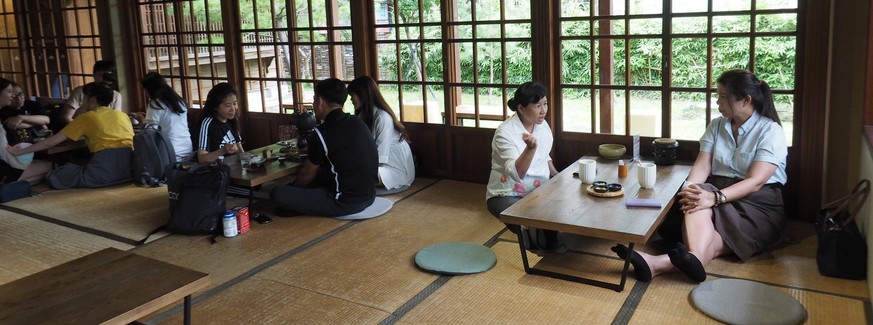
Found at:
[242, 277]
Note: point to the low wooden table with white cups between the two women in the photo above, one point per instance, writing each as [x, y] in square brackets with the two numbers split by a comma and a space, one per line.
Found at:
[562, 204]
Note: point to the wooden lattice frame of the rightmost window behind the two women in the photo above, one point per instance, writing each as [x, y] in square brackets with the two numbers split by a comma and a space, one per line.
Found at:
[606, 105]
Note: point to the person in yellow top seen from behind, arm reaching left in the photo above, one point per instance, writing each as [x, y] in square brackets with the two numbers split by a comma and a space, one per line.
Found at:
[109, 136]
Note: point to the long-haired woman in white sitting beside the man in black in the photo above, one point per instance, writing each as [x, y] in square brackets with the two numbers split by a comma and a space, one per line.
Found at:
[396, 167]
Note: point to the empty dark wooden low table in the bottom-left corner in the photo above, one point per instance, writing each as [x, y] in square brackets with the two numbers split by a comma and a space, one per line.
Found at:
[109, 286]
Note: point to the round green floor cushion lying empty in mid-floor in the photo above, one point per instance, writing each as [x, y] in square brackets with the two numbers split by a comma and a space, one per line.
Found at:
[455, 258]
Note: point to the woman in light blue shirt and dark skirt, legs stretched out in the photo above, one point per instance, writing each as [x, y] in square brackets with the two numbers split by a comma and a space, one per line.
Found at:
[733, 204]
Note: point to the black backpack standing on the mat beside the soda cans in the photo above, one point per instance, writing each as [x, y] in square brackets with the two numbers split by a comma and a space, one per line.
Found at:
[198, 199]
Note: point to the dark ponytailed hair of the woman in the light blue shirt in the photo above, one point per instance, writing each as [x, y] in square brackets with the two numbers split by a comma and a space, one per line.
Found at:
[740, 83]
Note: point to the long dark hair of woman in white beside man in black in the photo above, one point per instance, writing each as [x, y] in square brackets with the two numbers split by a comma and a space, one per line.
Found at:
[371, 100]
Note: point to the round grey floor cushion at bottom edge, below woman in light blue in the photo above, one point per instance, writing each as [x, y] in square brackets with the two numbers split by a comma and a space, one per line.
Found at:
[736, 301]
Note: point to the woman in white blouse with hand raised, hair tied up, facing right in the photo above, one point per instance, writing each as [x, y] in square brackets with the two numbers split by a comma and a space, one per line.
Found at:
[520, 160]
